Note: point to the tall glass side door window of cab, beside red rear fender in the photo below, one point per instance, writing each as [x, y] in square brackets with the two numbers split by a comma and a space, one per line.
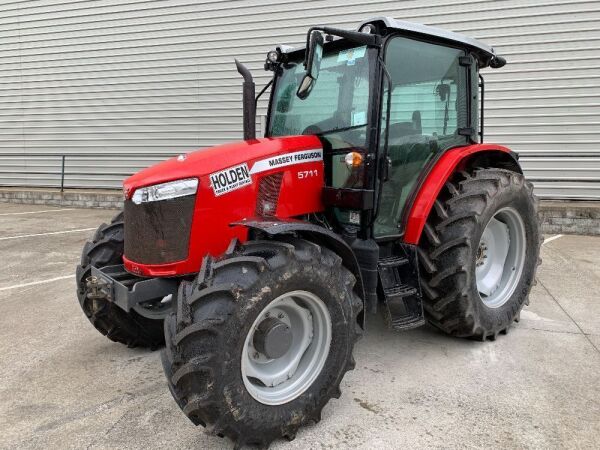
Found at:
[429, 107]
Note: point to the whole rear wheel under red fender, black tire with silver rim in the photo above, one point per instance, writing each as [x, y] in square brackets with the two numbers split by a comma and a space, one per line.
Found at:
[451, 251]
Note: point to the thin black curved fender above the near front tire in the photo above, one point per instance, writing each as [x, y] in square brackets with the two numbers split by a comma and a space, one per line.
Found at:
[313, 233]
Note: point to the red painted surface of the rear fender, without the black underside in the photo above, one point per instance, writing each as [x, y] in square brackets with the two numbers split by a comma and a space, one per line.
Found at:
[434, 183]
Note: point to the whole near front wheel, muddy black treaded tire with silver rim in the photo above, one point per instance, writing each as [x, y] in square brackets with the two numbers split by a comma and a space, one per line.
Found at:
[219, 374]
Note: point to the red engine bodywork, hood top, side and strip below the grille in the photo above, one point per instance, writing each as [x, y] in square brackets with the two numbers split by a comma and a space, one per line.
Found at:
[210, 231]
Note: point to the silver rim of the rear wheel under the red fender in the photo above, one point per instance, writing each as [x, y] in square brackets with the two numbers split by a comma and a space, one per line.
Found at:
[500, 257]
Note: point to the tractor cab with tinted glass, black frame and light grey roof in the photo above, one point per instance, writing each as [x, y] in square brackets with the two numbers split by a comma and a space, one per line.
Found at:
[386, 101]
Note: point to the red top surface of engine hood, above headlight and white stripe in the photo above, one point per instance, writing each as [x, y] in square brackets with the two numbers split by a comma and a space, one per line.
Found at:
[203, 162]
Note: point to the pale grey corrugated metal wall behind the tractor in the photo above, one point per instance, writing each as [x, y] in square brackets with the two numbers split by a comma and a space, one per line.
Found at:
[146, 79]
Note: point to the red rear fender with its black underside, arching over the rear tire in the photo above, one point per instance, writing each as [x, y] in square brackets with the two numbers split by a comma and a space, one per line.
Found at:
[460, 158]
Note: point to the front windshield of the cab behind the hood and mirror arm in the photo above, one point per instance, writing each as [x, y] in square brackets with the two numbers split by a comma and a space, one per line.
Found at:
[338, 104]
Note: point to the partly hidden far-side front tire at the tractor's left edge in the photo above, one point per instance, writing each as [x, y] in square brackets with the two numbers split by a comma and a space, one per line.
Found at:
[131, 329]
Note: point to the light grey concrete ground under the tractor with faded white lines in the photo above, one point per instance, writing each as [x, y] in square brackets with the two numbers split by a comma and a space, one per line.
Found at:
[63, 385]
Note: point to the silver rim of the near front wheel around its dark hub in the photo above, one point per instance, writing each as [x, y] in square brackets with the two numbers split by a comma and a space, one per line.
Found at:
[275, 381]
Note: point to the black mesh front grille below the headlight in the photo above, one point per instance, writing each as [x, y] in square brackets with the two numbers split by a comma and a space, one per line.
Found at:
[158, 232]
